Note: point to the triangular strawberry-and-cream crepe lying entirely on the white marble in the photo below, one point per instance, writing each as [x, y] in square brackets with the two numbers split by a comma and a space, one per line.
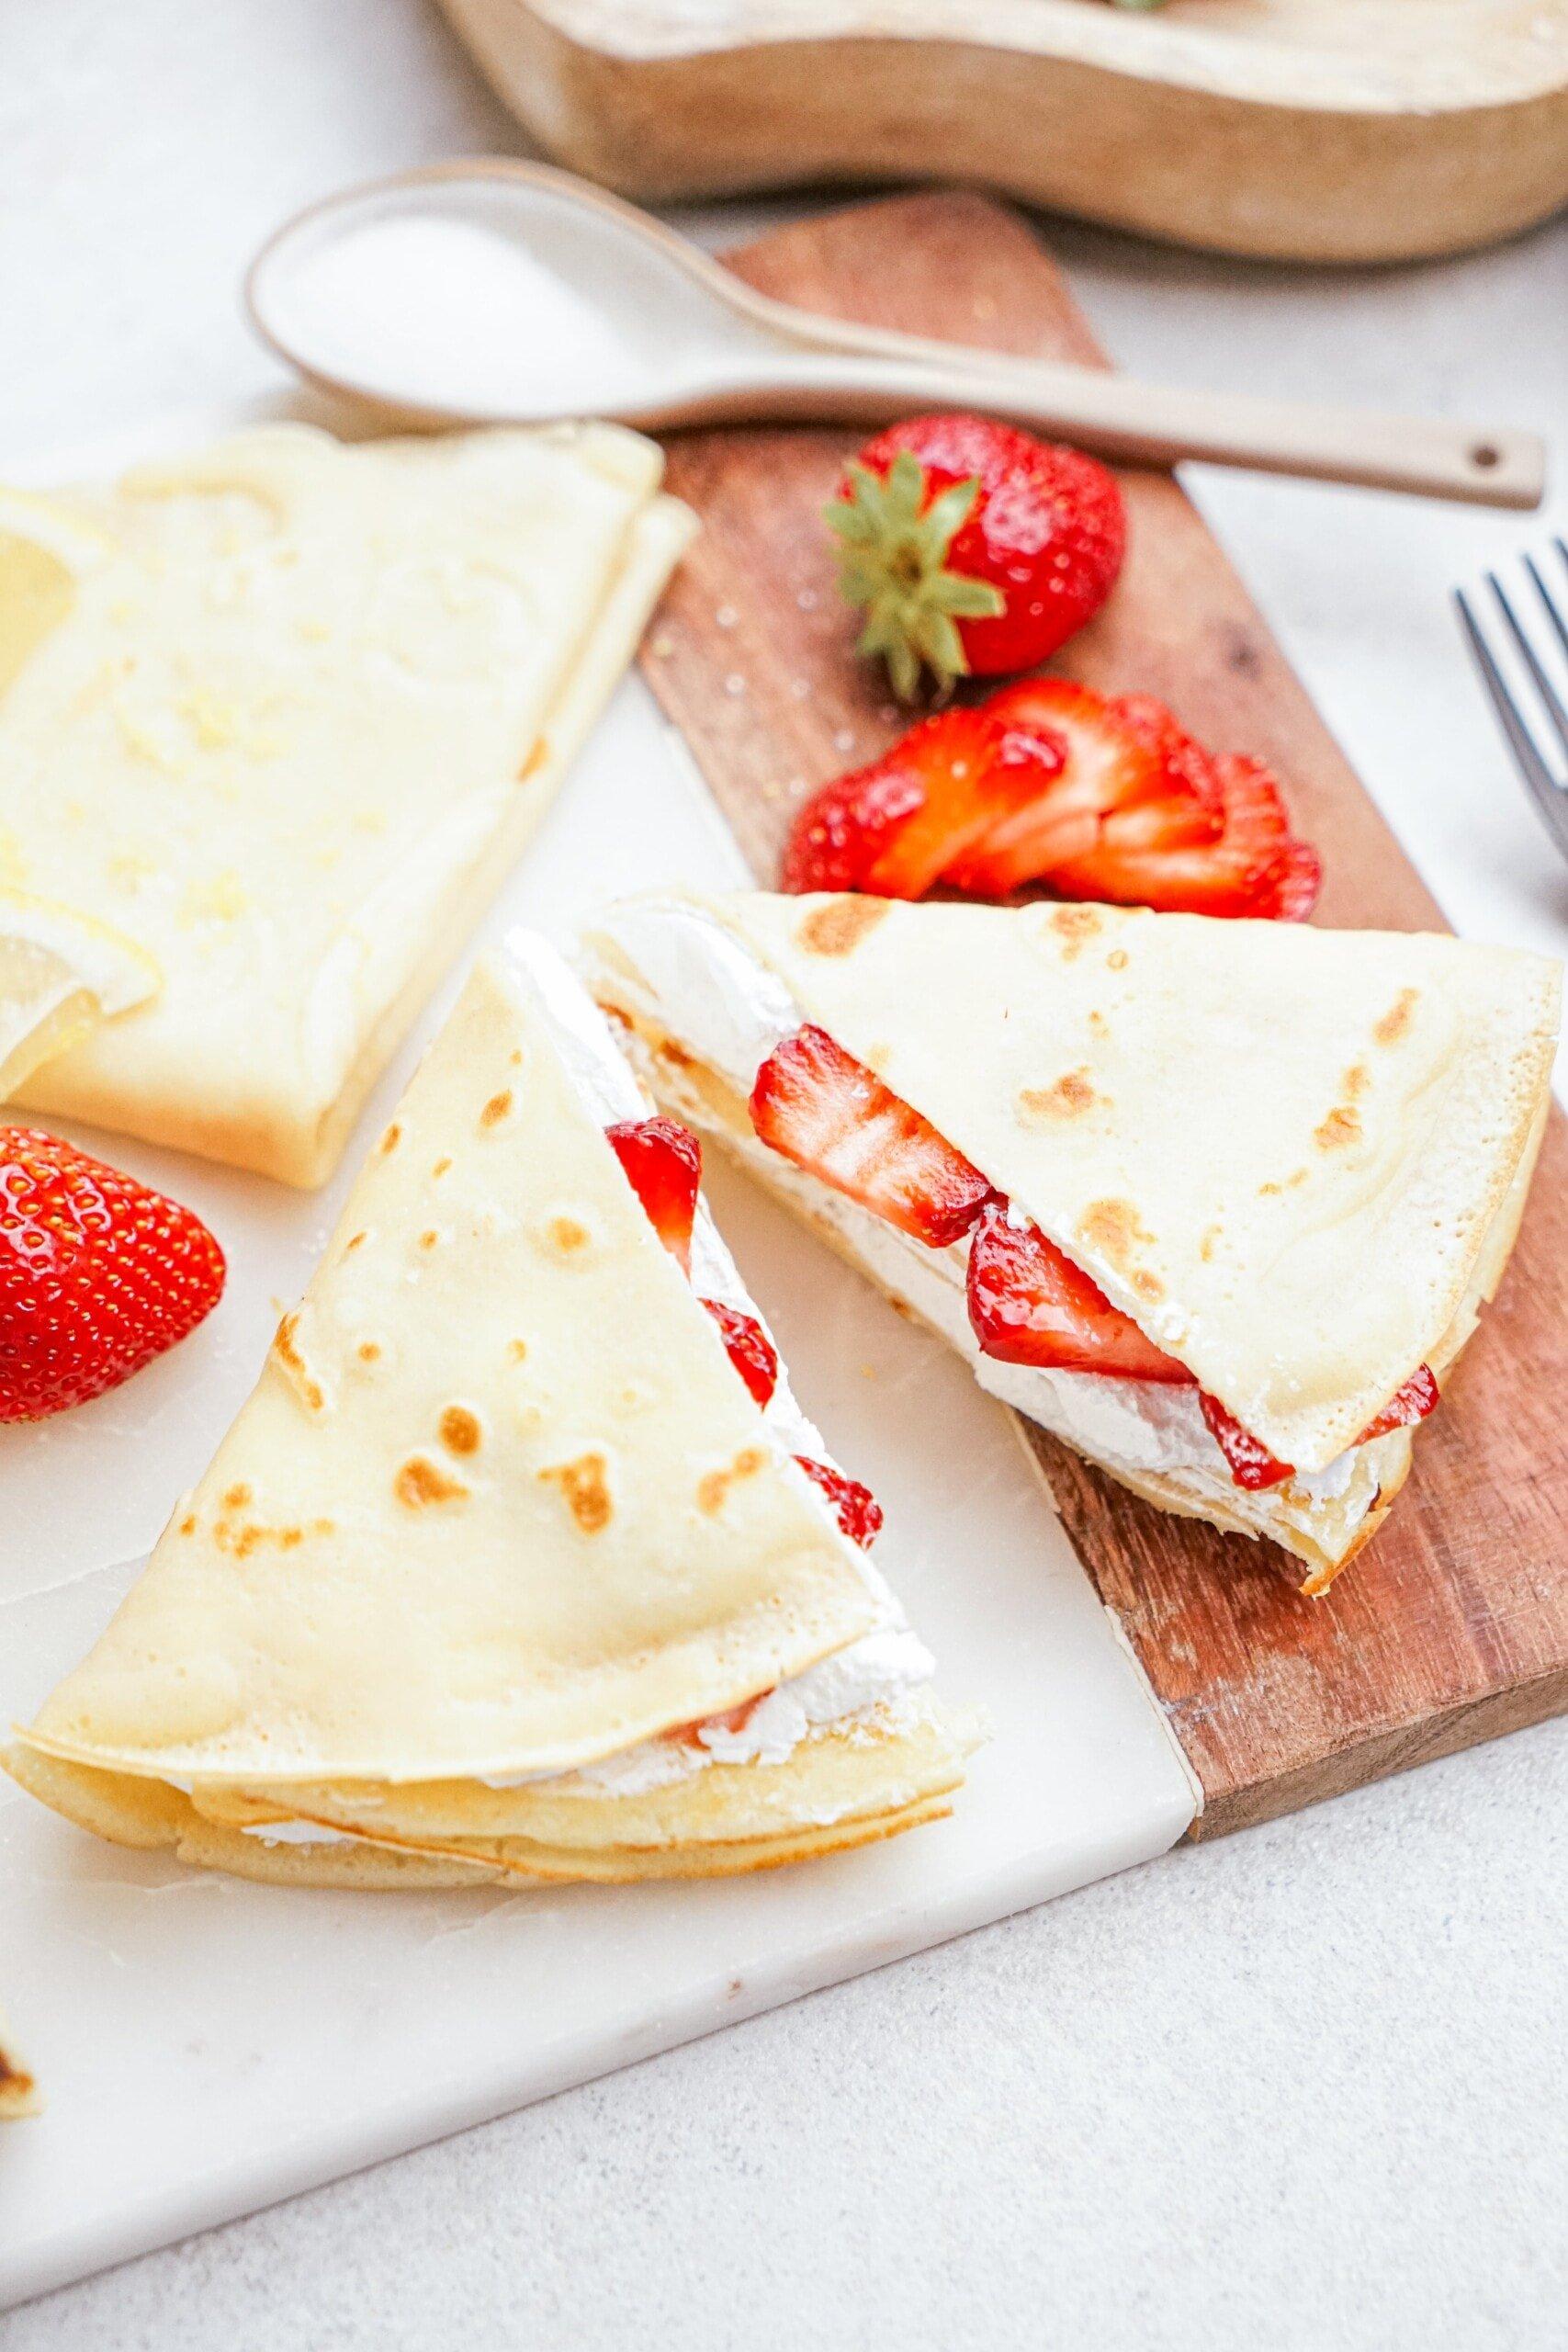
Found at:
[504, 1568]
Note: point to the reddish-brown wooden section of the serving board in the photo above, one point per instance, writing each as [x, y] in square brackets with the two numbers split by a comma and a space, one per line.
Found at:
[1454, 1626]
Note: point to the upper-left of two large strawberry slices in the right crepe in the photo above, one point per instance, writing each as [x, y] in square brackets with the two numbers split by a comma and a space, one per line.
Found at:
[831, 1116]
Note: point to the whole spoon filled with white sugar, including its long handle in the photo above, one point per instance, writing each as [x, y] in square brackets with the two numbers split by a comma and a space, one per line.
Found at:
[509, 293]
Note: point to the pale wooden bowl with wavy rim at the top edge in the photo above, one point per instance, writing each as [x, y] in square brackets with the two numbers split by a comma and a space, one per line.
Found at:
[1306, 131]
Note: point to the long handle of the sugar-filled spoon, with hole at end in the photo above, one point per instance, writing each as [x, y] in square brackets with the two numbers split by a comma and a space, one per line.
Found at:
[1160, 425]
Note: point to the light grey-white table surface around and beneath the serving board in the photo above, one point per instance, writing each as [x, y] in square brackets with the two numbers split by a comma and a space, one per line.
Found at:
[1306, 2087]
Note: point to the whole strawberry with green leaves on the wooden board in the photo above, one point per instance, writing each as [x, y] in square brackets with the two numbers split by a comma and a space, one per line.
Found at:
[974, 547]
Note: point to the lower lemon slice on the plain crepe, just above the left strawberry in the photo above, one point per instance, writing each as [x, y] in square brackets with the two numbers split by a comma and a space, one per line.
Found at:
[60, 975]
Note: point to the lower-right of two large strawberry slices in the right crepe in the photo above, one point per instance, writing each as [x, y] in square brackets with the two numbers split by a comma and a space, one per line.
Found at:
[1028, 1304]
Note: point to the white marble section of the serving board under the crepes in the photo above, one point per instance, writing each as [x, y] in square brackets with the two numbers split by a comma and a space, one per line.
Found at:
[210, 2047]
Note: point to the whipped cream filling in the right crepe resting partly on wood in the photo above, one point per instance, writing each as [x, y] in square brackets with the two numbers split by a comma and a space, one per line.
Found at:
[709, 991]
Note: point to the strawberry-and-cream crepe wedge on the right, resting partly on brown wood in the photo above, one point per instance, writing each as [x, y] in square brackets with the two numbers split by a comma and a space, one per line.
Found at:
[1292, 1158]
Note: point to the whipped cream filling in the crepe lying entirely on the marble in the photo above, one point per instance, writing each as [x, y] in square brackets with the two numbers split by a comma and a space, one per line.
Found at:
[873, 1676]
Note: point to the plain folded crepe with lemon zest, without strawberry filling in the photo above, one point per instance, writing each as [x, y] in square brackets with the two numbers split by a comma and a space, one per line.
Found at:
[283, 714]
